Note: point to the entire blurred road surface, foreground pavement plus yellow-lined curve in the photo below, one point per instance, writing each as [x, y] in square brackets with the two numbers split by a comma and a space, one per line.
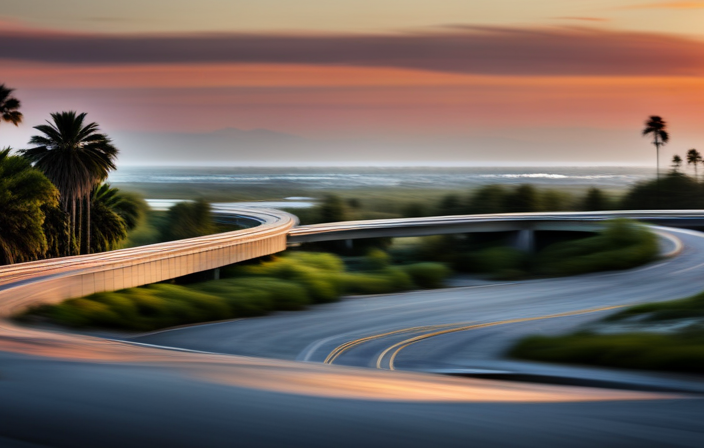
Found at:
[60, 389]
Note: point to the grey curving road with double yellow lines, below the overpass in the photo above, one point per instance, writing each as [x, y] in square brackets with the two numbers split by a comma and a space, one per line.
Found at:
[444, 328]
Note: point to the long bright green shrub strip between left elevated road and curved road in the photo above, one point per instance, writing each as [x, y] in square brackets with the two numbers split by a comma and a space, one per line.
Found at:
[290, 282]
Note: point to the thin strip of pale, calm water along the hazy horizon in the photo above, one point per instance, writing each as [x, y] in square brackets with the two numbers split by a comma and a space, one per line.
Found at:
[345, 177]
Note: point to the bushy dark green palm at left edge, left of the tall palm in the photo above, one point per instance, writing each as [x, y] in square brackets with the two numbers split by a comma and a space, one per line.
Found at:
[24, 192]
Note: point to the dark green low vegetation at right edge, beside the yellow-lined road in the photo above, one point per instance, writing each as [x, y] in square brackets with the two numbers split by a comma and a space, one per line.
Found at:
[676, 350]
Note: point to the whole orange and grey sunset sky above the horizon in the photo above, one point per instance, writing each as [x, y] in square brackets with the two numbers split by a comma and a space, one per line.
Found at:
[278, 82]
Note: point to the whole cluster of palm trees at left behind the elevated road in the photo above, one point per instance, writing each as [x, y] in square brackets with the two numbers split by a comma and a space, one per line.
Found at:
[53, 195]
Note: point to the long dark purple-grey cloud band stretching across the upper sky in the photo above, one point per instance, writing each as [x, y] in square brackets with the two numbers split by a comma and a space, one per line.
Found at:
[465, 49]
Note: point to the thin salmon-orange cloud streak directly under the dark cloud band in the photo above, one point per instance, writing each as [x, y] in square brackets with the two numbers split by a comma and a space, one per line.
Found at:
[40, 75]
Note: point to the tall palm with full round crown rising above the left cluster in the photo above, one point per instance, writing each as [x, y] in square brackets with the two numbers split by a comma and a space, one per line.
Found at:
[76, 157]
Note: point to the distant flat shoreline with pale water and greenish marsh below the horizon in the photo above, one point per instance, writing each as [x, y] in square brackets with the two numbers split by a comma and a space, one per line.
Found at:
[228, 184]
